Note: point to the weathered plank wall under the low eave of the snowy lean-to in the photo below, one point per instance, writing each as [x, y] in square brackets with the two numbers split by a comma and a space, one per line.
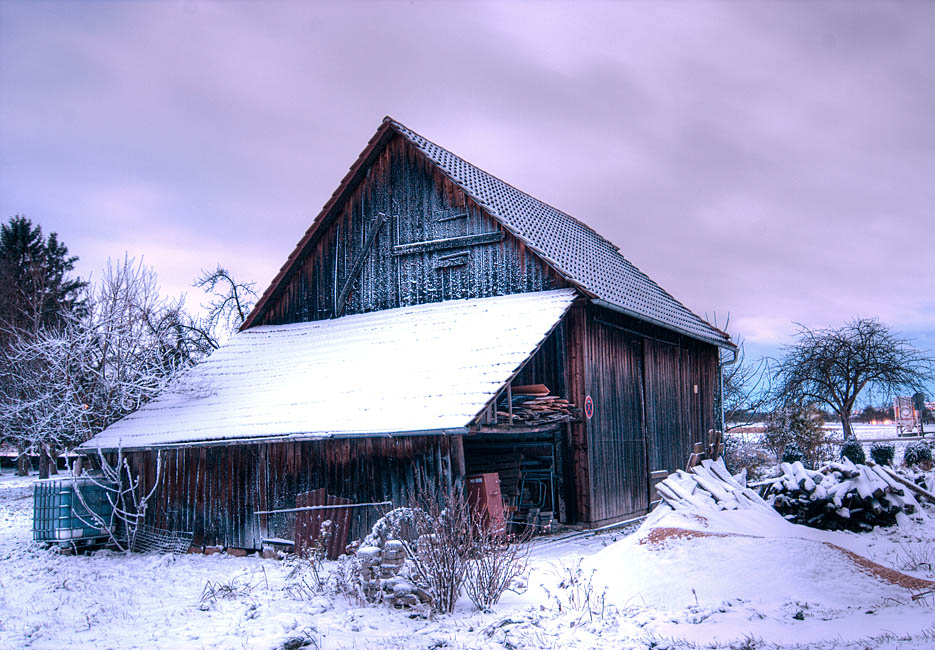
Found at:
[215, 491]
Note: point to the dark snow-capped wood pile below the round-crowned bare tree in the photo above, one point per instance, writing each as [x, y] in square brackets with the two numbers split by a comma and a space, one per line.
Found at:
[840, 496]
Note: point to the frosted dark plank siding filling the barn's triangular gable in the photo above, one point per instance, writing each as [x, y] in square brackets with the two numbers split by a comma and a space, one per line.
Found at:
[421, 205]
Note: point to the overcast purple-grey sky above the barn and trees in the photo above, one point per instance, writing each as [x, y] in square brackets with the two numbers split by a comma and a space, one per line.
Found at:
[771, 161]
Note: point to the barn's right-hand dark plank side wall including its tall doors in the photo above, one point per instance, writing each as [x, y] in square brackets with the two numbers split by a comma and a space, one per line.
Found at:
[647, 414]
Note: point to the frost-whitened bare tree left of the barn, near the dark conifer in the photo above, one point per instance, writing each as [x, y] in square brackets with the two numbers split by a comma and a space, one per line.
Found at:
[67, 383]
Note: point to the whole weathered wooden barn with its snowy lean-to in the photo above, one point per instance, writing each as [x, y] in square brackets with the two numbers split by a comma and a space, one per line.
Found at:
[433, 323]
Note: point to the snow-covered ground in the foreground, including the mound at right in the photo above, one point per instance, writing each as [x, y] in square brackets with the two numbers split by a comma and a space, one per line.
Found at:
[743, 580]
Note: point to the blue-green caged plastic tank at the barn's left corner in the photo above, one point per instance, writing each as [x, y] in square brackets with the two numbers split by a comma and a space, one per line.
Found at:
[59, 516]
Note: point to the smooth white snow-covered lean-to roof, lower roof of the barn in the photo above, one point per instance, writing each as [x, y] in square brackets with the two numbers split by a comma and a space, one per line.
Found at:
[426, 368]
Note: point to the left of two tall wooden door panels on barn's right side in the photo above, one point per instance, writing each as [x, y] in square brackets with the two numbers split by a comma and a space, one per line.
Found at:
[617, 443]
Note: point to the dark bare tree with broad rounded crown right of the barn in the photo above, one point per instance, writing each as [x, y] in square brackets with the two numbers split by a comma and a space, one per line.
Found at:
[834, 366]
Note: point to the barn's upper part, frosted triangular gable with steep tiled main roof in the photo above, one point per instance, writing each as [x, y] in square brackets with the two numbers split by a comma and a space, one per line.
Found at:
[512, 242]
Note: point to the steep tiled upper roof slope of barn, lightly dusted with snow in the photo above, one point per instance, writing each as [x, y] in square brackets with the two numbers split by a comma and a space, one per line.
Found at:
[574, 249]
